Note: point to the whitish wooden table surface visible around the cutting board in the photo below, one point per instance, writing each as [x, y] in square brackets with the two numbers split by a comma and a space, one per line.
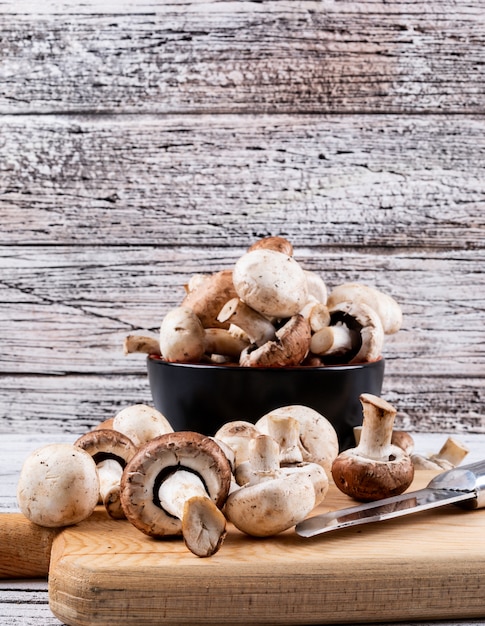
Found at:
[25, 602]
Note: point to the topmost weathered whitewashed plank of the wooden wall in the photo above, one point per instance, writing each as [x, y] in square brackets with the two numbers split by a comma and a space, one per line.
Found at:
[308, 56]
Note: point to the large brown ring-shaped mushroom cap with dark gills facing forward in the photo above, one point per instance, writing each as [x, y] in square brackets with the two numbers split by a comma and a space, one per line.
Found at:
[159, 458]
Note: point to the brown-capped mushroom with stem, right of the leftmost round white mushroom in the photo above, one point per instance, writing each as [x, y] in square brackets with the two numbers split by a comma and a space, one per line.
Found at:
[111, 451]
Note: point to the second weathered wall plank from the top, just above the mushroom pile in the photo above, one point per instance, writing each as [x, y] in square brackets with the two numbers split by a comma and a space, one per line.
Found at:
[385, 181]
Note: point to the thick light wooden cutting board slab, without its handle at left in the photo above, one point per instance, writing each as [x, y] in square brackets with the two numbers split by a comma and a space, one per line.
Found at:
[424, 566]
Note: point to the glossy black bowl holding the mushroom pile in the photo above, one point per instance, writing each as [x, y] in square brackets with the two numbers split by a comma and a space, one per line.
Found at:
[202, 397]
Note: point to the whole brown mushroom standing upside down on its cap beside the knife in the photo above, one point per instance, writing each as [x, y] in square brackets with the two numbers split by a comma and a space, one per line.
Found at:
[375, 468]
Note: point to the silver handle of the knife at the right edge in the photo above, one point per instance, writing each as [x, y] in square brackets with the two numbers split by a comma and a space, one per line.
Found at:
[469, 478]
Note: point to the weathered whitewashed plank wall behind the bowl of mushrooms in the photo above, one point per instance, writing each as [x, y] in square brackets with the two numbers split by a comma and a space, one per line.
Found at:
[141, 142]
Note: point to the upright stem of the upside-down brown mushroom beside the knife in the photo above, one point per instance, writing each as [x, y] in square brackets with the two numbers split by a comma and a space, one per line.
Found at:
[377, 425]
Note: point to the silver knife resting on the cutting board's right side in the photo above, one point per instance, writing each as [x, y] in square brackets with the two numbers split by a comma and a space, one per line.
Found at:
[463, 486]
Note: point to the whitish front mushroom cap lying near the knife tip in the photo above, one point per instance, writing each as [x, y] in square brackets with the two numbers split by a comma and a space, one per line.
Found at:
[270, 507]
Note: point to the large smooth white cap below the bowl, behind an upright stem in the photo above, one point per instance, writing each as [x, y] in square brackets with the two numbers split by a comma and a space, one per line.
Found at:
[318, 438]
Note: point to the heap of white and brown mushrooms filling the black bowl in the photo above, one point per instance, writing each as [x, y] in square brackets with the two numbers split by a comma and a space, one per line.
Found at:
[268, 311]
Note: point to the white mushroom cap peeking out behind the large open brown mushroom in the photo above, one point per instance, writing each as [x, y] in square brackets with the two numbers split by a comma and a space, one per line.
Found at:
[140, 423]
